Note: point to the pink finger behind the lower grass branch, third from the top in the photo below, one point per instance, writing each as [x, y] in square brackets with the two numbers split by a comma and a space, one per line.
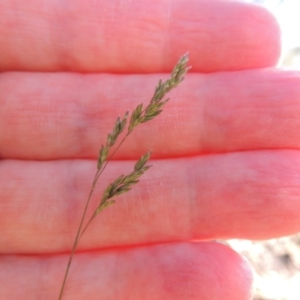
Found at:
[237, 195]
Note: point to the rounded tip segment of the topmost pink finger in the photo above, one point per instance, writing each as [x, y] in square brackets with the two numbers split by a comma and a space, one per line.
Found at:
[225, 35]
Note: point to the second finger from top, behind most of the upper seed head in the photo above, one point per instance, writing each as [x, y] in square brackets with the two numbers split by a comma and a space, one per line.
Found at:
[208, 113]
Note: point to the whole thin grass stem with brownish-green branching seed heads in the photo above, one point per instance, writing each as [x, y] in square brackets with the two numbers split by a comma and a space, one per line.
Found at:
[124, 183]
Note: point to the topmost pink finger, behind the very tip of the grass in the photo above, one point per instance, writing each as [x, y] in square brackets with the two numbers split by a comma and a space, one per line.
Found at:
[89, 36]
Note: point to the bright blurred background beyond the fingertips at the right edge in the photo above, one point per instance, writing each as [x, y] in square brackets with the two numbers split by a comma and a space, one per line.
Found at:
[277, 262]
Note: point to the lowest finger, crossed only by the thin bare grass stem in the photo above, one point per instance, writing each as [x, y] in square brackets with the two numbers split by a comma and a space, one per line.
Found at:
[170, 271]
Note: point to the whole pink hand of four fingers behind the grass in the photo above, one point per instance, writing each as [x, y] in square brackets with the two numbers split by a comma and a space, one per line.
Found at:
[225, 157]
